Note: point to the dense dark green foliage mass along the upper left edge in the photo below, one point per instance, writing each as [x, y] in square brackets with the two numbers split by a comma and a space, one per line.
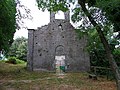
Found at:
[7, 23]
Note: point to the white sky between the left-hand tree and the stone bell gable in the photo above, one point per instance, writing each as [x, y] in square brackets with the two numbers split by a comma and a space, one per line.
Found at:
[39, 18]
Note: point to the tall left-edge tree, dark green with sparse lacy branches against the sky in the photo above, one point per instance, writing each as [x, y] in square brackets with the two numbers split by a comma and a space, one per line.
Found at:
[11, 18]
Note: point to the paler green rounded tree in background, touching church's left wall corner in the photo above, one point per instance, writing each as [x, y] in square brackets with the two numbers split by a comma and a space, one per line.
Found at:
[18, 49]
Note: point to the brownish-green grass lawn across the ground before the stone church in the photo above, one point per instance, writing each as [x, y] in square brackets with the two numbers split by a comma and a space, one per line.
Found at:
[16, 77]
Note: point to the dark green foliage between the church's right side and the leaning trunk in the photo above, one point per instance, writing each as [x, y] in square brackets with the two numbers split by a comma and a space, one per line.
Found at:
[96, 50]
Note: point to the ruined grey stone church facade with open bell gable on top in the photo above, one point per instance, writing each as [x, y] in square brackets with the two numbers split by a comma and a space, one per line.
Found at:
[55, 39]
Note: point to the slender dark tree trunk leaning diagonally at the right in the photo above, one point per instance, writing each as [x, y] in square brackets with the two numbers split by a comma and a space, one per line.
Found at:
[112, 62]
